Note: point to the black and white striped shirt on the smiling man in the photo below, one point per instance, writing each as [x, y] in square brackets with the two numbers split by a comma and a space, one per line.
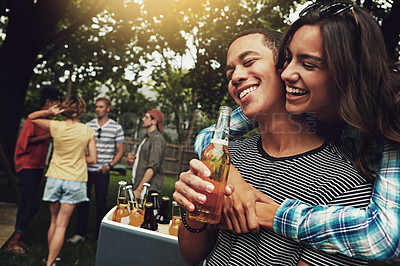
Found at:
[318, 177]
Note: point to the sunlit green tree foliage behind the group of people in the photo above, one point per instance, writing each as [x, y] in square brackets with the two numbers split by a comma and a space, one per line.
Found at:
[177, 47]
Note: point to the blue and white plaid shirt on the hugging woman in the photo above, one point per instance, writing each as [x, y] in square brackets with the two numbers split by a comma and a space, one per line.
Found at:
[370, 233]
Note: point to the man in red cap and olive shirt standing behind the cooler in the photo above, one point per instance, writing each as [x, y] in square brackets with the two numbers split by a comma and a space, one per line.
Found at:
[148, 163]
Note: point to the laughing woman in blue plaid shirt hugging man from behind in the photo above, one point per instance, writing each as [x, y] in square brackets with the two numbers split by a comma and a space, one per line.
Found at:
[320, 51]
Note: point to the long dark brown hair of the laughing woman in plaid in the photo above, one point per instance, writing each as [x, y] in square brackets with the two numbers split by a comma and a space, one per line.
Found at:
[356, 57]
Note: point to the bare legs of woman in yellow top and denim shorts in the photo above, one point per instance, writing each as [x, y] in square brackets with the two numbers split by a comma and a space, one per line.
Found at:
[56, 237]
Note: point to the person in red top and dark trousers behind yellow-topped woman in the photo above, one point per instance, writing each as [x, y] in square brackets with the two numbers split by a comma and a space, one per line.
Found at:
[30, 158]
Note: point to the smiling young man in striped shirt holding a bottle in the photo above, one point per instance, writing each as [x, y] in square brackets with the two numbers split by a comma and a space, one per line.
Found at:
[288, 159]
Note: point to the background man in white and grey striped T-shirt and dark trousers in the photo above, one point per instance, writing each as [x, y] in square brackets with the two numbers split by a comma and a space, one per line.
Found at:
[109, 138]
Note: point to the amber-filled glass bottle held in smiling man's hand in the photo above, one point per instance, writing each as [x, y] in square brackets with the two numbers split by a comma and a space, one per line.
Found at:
[217, 158]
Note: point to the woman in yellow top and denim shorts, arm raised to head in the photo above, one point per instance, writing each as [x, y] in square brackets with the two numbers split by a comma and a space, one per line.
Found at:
[74, 147]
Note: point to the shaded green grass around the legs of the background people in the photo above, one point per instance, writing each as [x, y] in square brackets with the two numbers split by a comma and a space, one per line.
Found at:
[83, 253]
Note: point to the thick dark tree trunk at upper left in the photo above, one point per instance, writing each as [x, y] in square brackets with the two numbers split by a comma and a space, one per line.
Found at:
[29, 27]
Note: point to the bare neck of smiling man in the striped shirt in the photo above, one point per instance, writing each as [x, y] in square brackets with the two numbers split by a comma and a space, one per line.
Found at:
[289, 135]
